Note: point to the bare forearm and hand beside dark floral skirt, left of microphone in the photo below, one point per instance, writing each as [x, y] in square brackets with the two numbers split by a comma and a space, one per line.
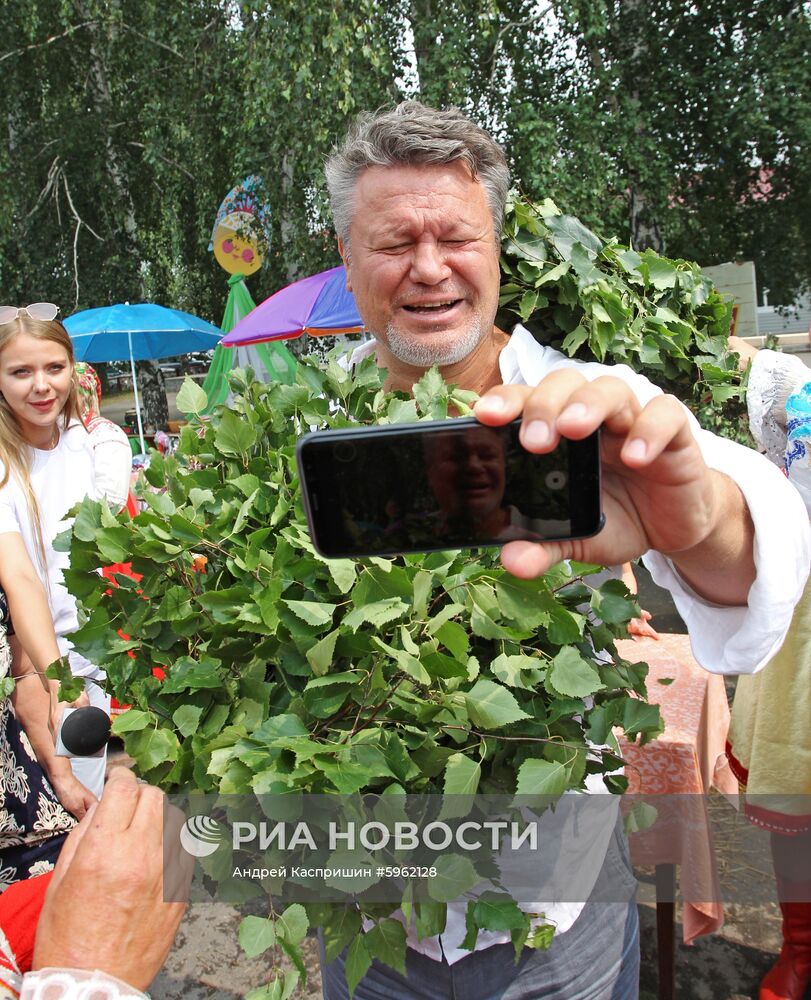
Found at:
[32, 706]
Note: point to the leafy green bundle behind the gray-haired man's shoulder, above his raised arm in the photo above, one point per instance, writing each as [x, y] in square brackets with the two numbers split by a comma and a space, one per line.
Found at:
[592, 297]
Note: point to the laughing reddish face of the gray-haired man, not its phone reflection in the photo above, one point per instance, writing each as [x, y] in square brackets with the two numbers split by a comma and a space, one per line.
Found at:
[423, 261]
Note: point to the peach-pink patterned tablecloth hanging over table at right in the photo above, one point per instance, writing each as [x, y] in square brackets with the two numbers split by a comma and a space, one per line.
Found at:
[686, 760]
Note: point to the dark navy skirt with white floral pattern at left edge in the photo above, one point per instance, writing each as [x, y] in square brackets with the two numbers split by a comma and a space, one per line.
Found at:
[33, 824]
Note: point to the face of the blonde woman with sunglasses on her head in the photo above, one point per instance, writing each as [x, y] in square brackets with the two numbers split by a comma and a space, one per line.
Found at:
[35, 377]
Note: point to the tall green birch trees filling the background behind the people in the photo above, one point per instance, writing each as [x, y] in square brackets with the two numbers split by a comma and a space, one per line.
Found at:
[128, 122]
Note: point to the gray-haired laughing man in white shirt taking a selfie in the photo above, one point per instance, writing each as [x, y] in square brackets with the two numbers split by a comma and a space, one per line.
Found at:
[418, 199]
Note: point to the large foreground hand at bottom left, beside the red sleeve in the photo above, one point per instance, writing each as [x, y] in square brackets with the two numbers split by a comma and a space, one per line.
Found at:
[104, 908]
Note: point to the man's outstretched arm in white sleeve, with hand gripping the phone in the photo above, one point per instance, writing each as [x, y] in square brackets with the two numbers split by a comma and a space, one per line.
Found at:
[719, 526]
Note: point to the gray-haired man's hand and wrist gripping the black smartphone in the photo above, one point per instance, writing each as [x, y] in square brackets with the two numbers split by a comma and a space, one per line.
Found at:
[658, 493]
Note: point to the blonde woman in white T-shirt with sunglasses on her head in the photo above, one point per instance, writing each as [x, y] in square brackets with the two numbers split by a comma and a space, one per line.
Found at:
[46, 466]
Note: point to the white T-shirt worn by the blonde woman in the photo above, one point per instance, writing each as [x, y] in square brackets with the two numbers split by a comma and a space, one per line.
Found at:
[60, 478]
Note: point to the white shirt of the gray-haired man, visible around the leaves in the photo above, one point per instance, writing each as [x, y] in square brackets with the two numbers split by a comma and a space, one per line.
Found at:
[726, 640]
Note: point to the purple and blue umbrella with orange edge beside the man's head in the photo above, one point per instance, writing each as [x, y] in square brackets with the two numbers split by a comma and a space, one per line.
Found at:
[319, 305]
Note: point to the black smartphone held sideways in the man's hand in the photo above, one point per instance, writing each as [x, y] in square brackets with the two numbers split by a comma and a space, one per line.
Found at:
[448, 484]
